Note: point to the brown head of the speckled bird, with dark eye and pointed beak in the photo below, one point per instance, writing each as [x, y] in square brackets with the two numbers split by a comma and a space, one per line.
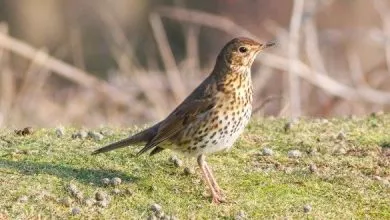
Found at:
[241, 52]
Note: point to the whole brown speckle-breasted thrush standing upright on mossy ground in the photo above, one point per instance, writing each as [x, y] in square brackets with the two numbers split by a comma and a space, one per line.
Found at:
[212, 117]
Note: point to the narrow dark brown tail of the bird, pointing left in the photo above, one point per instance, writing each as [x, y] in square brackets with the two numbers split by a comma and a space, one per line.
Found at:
[143, 136]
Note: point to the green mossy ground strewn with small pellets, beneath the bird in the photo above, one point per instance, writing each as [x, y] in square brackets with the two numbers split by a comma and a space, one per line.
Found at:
[351, 180]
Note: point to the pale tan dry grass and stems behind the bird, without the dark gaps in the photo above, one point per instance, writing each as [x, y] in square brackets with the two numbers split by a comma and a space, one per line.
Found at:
[316, 70]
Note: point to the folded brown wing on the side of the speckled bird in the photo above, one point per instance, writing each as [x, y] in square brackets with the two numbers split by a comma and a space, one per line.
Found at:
[184, 114]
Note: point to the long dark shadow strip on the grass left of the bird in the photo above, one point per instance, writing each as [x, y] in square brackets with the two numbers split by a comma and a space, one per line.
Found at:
[83, 175]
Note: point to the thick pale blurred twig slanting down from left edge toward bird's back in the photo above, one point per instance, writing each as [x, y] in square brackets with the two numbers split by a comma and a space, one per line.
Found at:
[65, 70]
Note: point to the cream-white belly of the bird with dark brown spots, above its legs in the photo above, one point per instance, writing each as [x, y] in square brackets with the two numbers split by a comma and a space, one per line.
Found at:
[209, 136]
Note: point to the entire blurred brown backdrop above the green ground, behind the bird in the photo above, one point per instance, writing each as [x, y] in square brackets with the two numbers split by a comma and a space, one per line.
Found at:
[124, 62]
